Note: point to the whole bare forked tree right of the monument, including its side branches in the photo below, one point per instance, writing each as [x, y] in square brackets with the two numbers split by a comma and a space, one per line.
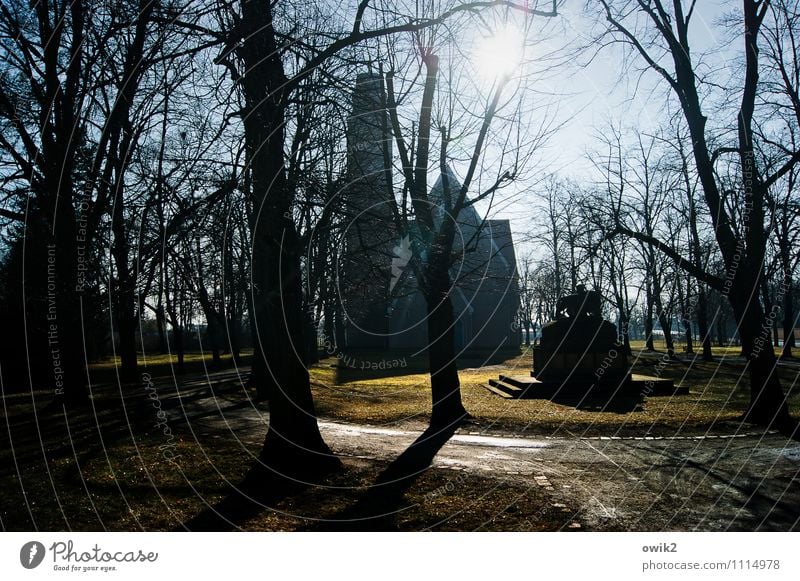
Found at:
[667, 32]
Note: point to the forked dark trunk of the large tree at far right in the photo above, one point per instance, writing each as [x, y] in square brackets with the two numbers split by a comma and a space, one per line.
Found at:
[743, 249]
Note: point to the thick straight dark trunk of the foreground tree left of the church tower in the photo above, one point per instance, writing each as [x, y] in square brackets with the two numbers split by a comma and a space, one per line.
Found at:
[293, 446]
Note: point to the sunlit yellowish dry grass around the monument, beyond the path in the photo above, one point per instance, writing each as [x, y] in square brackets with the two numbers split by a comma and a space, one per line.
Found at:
[718, 394]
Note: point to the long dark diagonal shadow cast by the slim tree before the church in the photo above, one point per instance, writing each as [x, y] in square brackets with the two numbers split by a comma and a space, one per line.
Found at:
[378, 508]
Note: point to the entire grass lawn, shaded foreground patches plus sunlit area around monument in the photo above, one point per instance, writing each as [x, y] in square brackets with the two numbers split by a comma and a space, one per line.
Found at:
[102, 468]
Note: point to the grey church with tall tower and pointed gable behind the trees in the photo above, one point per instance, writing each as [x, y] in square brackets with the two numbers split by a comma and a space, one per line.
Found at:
[384, 308]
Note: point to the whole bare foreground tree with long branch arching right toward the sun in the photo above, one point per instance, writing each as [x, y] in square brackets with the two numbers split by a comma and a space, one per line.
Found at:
[258, 36]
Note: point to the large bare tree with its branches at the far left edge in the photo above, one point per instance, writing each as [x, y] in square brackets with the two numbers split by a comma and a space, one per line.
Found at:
[43, 90]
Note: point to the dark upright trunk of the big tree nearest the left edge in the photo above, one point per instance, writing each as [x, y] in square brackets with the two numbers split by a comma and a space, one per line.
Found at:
[55, 194]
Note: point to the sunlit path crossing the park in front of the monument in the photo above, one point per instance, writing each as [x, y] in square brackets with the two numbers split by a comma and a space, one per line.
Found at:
[740, 481]
